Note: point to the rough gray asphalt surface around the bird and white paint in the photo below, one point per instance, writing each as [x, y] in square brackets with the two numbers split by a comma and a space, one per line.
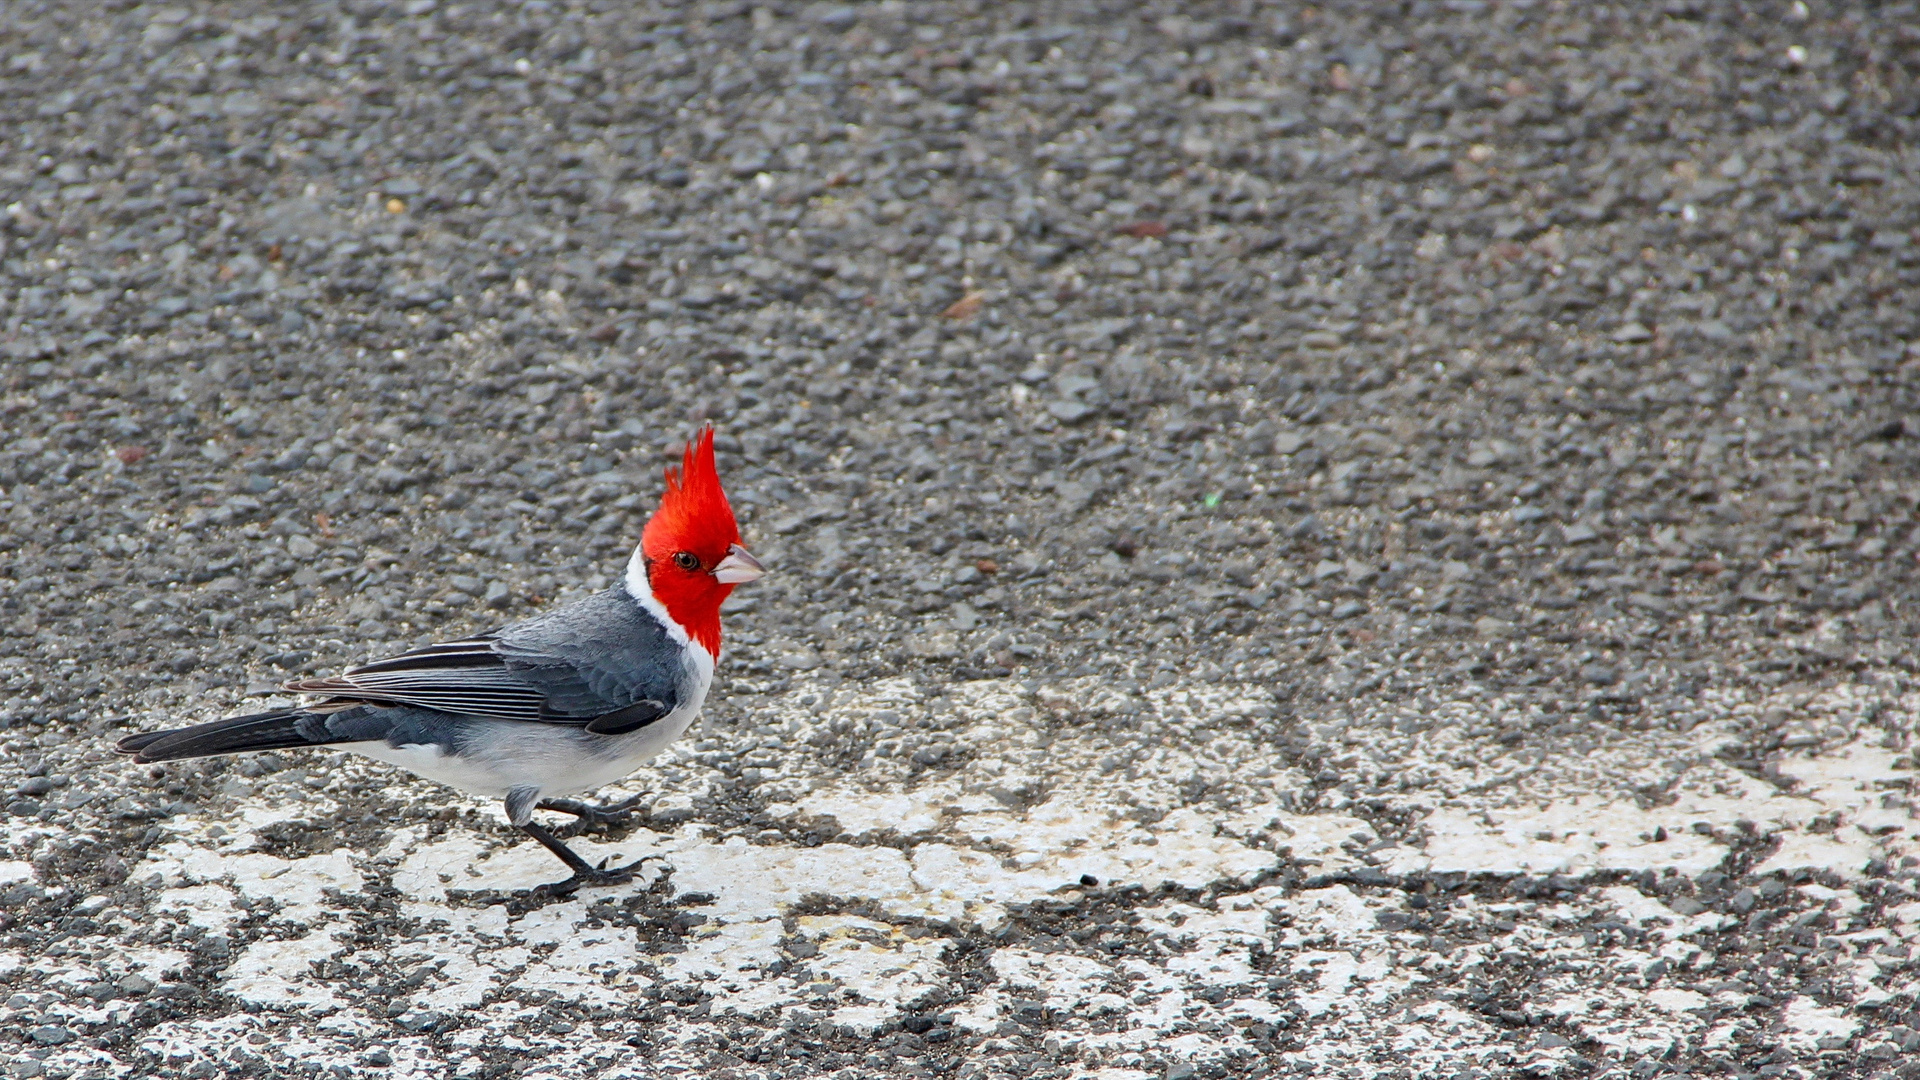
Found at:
[1541, 356]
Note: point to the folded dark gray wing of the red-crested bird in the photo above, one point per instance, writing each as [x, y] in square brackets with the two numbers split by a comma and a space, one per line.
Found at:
[602, 664]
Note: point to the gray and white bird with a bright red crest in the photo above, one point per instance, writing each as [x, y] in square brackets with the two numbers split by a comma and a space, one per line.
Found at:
[539, 710]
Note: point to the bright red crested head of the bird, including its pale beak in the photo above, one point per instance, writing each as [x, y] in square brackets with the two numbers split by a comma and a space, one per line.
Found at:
[692, 547]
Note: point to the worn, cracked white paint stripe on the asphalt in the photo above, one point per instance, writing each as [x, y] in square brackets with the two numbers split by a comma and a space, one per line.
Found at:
[1030, 820]
